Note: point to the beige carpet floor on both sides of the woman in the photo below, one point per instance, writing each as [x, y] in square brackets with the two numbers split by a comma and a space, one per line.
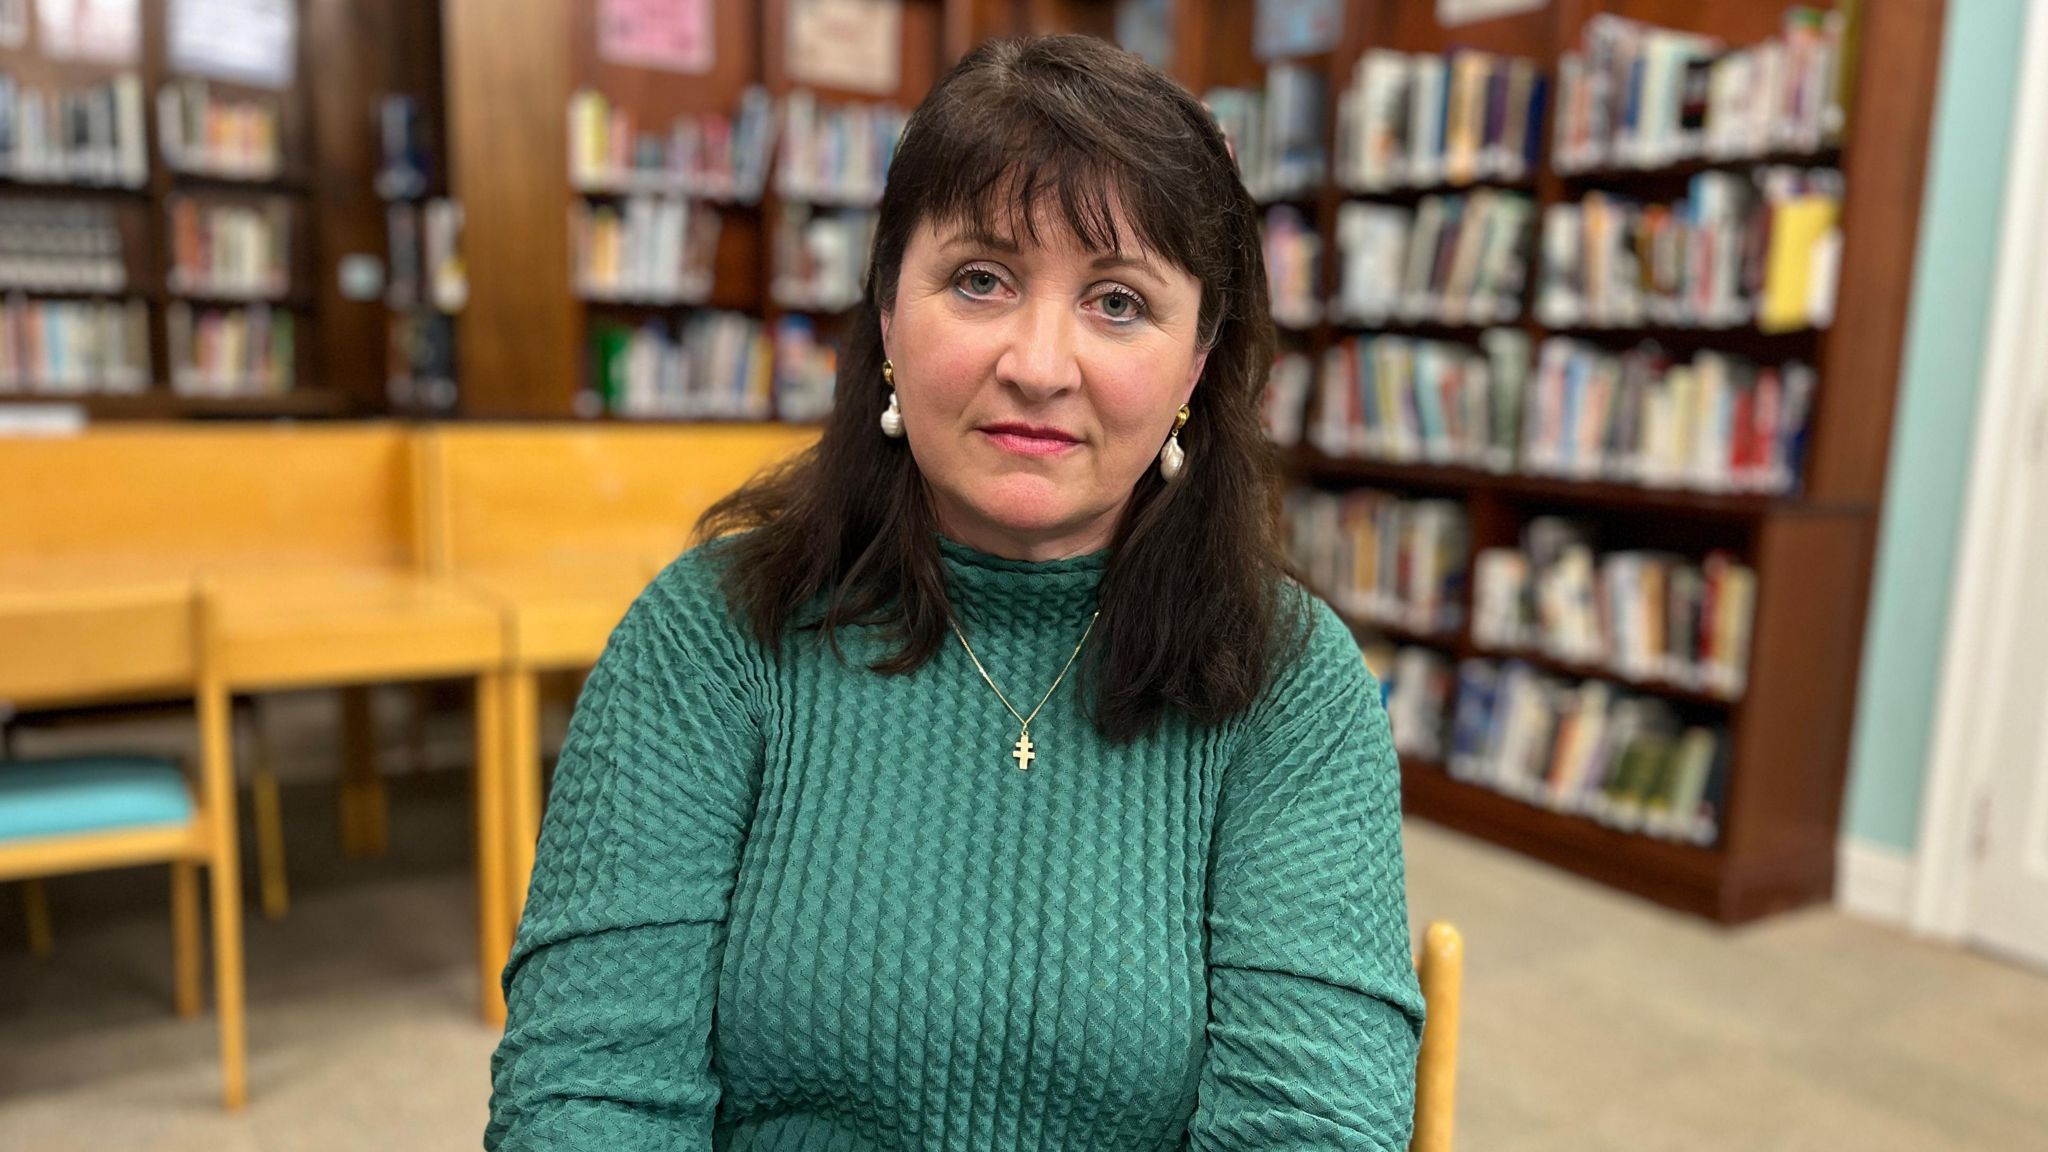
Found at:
[1592, 1024]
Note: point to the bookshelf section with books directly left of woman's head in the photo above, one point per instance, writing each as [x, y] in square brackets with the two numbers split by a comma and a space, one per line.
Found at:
[722, 208]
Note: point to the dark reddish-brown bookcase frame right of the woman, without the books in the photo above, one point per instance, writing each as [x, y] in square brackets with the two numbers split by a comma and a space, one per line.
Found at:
[1811, 550]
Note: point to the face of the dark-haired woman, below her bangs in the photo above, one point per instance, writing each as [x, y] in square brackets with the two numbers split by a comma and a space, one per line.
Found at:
[1037, 382]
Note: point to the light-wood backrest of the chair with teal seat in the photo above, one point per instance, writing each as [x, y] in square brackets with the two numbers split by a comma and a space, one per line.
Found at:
[99, 645]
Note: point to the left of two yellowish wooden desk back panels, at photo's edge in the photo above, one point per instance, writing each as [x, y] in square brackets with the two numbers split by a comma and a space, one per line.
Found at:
[204, 497]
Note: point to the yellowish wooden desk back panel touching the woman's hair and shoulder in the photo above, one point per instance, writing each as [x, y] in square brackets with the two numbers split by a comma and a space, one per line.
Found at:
[540, 493]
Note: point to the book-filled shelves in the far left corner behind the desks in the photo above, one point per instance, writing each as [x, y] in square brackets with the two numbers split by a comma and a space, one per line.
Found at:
[155, 237]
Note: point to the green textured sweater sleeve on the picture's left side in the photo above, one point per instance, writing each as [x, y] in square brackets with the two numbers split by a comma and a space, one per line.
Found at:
[613, 977]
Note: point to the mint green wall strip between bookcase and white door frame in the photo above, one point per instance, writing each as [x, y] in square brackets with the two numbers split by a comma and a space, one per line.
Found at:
[1953, 286]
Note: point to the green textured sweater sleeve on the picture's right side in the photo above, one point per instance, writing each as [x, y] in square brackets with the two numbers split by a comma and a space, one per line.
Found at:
[1314, 1007]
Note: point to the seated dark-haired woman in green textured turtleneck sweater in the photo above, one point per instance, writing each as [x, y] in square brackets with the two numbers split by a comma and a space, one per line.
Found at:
[992, 790]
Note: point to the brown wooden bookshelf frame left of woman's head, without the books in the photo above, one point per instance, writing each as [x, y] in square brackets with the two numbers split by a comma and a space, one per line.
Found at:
[525, 345]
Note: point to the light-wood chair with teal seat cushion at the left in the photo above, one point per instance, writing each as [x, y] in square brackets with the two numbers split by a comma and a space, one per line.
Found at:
[99, 813]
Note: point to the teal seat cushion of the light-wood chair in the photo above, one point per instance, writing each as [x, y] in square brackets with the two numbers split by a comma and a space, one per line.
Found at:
[89, 794]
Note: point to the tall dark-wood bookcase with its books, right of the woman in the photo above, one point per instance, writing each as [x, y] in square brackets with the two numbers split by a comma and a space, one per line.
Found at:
[1586, 405]
